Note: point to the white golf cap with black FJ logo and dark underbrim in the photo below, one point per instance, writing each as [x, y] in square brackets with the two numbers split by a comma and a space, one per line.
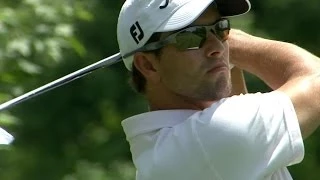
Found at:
[139, 19]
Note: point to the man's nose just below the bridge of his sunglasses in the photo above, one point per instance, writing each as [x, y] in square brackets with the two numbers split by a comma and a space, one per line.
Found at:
[213, 47]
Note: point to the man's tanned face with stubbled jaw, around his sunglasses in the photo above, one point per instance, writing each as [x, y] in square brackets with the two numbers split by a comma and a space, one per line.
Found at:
[200, 74]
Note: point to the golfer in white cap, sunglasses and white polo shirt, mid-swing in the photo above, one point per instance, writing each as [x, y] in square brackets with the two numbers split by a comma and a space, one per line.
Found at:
[179, 52]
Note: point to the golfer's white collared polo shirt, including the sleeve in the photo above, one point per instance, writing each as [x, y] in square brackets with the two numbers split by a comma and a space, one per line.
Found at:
[246, 137]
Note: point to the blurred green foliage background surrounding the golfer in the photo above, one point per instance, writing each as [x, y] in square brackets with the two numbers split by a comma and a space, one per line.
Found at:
[74, 131]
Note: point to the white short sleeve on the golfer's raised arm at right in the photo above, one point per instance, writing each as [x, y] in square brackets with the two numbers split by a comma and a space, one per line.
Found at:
[252, 134]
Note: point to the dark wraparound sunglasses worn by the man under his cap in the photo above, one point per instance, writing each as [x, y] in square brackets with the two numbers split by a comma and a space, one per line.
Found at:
[190, 37]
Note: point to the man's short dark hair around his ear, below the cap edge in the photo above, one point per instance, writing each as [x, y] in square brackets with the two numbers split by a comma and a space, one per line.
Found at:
[137, 80]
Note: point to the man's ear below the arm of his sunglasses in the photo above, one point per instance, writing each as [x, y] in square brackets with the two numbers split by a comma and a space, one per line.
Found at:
[148, 65]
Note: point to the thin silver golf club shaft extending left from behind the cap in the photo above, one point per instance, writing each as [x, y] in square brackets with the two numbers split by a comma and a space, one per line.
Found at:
[63, 80]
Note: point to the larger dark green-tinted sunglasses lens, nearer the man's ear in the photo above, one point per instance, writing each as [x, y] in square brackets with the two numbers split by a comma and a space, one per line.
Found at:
[191, 38]
